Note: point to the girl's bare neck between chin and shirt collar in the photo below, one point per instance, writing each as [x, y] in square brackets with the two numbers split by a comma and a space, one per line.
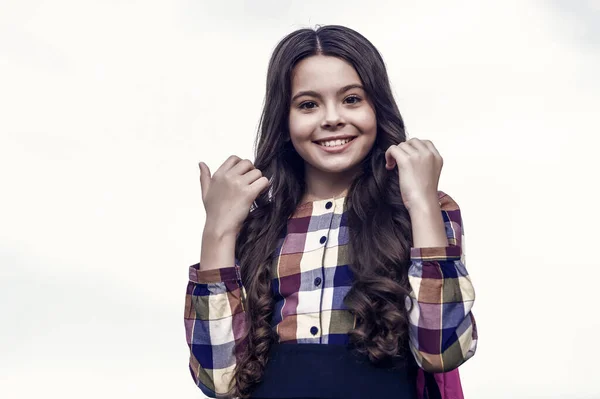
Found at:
[322, 185]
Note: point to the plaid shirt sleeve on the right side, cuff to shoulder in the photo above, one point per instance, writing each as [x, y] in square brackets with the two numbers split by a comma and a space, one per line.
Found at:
[442, 334]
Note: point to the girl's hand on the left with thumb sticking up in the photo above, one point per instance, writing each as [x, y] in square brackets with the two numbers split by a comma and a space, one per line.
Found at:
[228, 195]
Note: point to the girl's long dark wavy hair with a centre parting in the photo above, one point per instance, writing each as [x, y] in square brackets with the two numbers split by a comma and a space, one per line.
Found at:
[380, 229]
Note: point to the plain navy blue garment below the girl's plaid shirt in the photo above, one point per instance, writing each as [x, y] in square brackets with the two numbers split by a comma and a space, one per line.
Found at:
[311, 371]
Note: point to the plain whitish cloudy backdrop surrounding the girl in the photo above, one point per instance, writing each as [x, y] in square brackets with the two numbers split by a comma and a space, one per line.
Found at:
[106, 107]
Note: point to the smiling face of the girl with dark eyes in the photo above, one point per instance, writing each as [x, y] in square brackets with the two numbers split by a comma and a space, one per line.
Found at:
[332, 122]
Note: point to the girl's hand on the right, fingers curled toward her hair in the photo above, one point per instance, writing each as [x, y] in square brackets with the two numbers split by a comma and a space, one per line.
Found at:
[419, 169]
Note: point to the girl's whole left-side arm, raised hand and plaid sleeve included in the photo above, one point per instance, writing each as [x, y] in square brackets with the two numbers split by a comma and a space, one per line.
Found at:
[214, 311]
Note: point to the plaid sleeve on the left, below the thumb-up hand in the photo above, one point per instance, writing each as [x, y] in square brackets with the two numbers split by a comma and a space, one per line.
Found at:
[214, 322]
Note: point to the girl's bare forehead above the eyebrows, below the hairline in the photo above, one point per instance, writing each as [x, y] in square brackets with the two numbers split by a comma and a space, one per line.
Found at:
[323, 73]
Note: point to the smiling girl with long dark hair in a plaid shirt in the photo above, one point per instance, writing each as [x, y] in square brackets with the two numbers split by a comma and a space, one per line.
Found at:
[332, 267]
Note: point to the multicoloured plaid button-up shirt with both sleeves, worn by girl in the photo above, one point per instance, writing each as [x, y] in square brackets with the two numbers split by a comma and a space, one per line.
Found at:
[311, 277]
